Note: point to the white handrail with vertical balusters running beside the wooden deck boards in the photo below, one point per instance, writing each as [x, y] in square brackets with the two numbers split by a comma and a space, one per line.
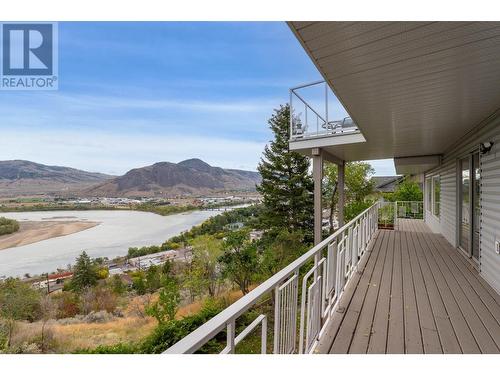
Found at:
[329, 276]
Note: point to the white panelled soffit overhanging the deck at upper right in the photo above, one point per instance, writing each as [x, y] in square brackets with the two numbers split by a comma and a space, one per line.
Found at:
[413, 88]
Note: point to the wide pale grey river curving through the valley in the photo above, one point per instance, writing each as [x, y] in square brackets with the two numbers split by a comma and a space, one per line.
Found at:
[117, 231]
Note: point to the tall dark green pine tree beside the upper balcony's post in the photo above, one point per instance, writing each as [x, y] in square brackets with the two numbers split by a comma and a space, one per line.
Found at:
[287, 186]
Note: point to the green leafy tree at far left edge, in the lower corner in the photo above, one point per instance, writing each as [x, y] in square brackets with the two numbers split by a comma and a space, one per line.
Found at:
[18, 301]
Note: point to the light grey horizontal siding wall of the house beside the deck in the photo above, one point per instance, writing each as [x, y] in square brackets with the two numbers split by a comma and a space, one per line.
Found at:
[447, 224]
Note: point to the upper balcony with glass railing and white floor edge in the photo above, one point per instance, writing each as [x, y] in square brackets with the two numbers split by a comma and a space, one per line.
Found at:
[318, 119]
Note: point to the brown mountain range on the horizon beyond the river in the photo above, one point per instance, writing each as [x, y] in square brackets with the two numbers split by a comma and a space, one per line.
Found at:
[189, 177]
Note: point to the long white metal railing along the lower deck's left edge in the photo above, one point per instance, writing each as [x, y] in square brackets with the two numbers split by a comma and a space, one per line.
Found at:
[318, 277]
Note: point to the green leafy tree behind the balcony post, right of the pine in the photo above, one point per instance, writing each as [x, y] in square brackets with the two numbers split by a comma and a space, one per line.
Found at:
[358, 186]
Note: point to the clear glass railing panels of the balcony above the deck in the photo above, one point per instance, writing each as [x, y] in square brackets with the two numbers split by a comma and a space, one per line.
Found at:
[316, 112]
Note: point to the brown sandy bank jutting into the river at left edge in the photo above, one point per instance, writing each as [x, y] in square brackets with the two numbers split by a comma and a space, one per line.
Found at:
[35, 231]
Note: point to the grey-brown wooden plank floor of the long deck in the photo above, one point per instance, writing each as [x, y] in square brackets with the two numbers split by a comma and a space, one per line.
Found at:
[414, 293]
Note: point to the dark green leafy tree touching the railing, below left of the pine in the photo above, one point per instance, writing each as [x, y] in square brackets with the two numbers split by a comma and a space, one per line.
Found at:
[240, 262]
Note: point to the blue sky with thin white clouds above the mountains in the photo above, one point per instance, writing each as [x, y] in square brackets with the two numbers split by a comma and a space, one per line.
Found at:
[131, 94]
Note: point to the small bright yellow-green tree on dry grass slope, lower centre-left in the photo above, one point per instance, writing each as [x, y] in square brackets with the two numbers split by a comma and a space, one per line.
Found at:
[165, 308]
